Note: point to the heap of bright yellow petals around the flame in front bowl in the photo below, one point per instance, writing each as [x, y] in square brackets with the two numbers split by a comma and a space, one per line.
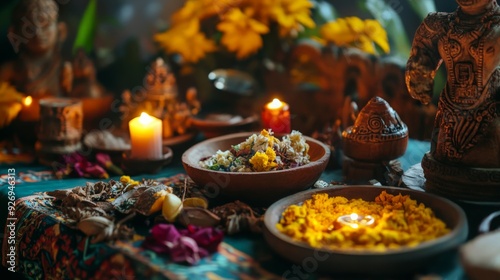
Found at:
[398, 221]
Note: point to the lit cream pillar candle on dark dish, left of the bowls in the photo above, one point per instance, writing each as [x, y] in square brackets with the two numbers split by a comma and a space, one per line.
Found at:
[145, 137]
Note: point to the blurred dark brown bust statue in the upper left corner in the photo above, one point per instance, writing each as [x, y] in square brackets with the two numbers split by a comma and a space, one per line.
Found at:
[36, 36]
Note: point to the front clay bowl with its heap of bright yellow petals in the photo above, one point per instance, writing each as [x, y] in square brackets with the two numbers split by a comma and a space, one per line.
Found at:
[408, 229]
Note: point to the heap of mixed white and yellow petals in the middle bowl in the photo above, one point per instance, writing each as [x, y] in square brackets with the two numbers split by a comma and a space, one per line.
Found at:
[261, 152]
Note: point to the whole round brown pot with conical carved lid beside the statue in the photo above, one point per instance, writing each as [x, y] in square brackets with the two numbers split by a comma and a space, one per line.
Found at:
[378, 134]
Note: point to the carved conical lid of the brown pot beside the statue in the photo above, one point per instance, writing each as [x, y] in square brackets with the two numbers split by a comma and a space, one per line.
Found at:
[376, 122]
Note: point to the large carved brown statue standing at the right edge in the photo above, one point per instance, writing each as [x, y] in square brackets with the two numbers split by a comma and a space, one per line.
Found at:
[464, 161]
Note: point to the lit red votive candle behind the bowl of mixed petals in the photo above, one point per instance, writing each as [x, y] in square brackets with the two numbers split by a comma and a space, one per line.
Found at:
[276, 116]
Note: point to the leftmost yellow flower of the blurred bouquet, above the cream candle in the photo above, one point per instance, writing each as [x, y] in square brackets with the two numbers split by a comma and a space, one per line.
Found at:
[186, 40]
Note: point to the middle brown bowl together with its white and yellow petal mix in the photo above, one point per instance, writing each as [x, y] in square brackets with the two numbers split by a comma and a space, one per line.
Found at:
[258, 178]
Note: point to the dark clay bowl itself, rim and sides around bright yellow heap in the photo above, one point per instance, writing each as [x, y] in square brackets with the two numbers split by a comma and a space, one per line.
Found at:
[391, 262]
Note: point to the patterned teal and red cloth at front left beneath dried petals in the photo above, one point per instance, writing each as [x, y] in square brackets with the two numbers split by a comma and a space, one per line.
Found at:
[49, 247]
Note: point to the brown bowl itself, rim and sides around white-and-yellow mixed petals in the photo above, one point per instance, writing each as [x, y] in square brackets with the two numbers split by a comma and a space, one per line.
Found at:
[257, 188]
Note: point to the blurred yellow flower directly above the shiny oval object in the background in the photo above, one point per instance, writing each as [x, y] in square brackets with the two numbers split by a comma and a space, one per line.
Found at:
[242, 33]
